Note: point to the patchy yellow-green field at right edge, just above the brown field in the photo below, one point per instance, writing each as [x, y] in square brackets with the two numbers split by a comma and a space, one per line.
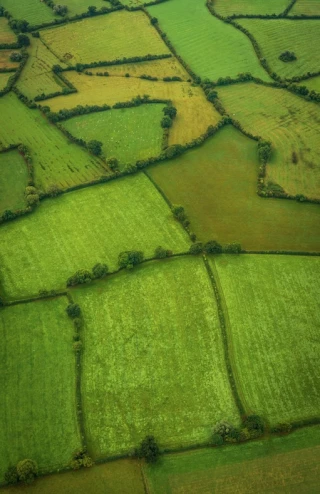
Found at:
[290, 123]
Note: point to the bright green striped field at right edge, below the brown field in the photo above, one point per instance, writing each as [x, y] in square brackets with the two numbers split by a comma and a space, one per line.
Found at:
[272, 307]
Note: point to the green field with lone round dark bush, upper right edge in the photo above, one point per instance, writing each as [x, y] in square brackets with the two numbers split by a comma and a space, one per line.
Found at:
[279, 35]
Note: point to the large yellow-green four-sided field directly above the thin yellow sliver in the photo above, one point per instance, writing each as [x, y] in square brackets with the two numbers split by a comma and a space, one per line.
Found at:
[105, 37]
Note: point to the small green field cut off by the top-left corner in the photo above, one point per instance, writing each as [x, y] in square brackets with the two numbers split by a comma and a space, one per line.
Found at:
[33, 11]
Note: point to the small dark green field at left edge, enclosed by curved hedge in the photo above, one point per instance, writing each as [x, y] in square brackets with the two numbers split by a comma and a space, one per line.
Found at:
[13, 180]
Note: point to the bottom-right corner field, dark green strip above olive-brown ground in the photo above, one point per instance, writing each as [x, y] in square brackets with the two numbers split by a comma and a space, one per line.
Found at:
[278, 464]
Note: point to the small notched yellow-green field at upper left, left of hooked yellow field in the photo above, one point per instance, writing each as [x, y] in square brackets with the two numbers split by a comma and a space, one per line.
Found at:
[37, 76]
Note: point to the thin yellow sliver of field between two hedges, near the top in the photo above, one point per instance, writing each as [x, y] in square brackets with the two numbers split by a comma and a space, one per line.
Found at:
[167, 67]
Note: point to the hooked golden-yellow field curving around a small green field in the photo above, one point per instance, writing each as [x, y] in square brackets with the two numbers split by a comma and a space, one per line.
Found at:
[194, 116]
